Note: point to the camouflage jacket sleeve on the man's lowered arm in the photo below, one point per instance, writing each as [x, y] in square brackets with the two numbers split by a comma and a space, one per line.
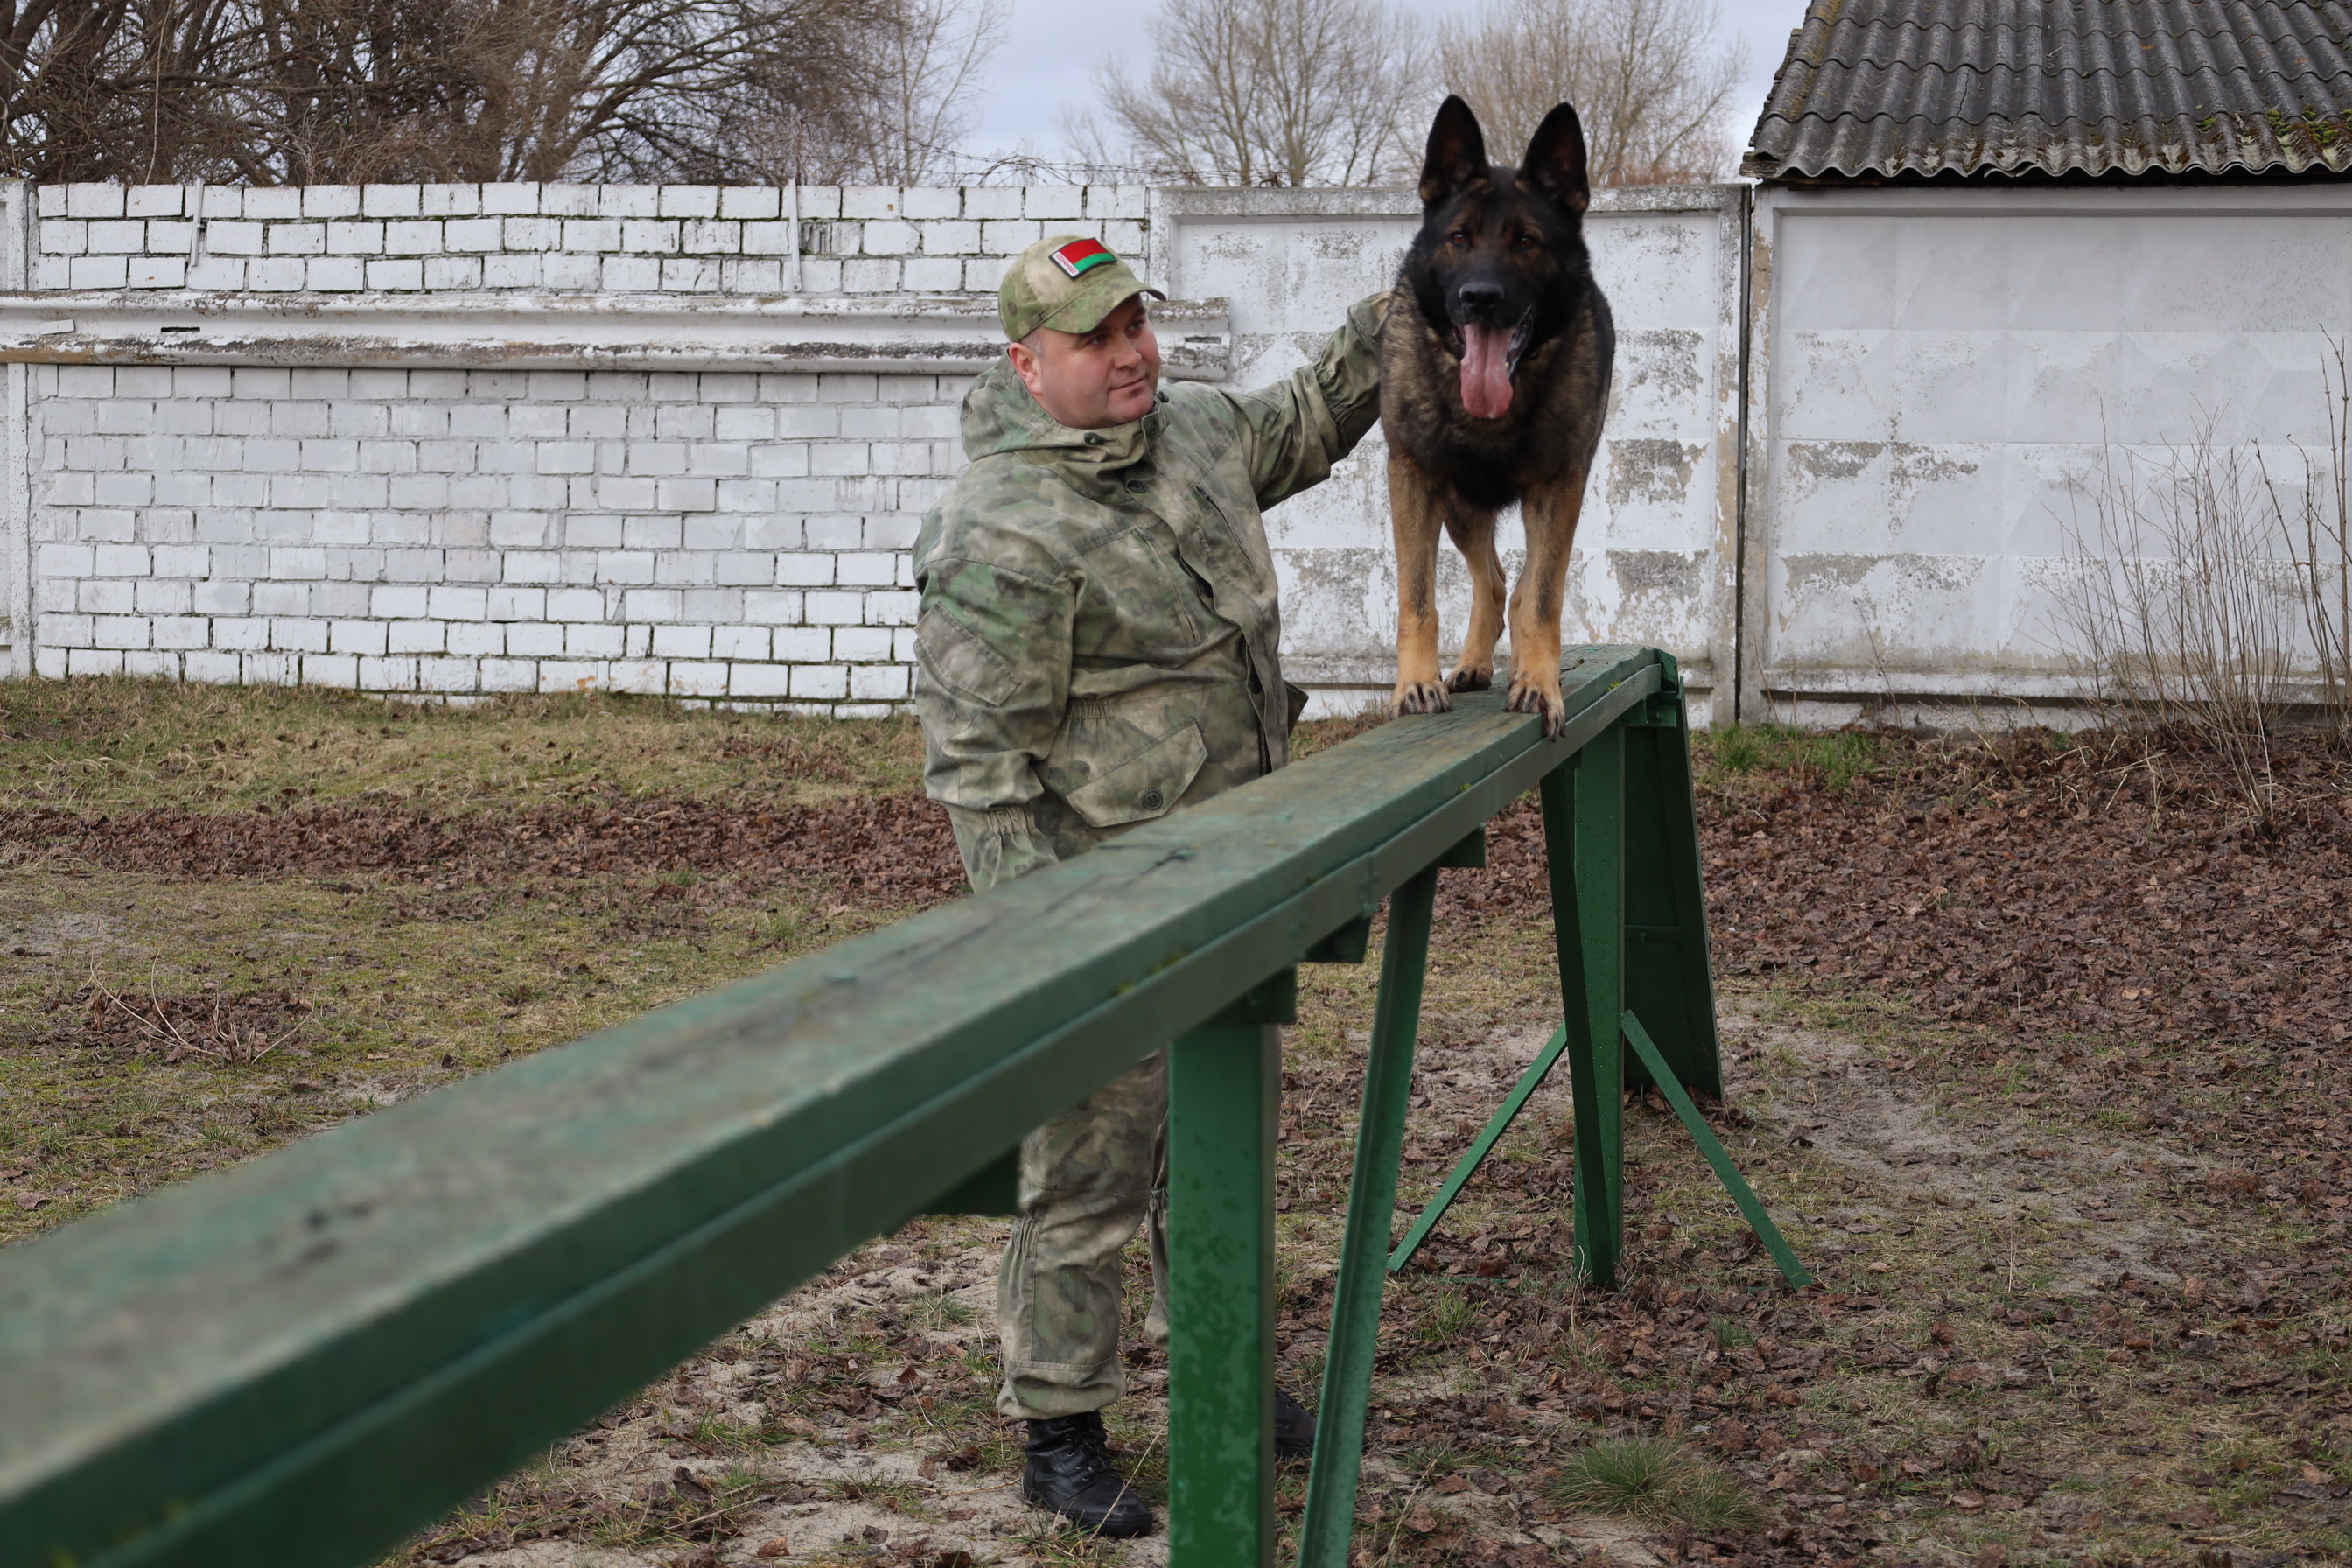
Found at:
[991, 688]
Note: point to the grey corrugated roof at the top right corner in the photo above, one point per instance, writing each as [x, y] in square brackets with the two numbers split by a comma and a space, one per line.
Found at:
[1906, 88]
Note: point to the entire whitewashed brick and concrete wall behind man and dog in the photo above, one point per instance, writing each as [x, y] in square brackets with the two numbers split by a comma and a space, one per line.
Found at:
[479, 438]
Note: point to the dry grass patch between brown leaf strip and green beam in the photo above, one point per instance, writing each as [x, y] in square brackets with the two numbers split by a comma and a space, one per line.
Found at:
[114, 1076]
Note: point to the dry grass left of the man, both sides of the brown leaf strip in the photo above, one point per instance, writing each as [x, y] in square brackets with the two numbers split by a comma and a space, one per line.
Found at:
[159, 1028]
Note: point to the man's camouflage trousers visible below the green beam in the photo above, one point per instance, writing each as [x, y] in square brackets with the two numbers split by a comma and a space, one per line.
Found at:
[1088, 1181]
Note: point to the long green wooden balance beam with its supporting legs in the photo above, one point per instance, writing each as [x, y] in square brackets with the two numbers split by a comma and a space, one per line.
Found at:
[312, 1355]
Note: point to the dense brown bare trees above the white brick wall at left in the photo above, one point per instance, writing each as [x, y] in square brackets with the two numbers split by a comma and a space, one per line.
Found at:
[481, 91]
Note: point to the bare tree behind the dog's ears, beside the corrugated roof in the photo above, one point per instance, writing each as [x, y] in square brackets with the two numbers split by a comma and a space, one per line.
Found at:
[1650, 81]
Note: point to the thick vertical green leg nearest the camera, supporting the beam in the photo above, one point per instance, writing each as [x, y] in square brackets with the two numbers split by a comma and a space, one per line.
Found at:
[1224, 1108]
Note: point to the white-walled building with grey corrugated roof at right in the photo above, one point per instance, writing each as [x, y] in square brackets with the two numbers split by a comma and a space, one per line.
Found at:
[2003, 253]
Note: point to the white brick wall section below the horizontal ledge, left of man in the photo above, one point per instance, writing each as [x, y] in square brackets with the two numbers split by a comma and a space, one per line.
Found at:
[448, 532]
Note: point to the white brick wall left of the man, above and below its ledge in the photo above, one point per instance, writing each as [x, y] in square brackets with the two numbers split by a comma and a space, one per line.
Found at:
[469, 530]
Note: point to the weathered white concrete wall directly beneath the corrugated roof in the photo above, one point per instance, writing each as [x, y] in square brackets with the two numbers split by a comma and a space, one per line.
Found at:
[1942, 375]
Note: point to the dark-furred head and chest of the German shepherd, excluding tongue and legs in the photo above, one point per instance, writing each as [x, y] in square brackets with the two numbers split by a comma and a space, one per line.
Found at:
[1499, 250]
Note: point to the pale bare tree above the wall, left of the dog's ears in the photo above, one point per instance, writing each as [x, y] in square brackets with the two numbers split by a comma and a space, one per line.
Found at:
[1264, 93]
